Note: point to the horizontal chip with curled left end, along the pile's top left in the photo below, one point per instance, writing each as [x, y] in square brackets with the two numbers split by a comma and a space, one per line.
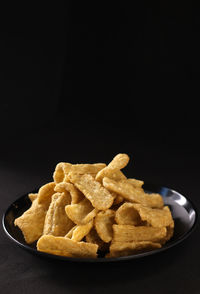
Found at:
[63, 168]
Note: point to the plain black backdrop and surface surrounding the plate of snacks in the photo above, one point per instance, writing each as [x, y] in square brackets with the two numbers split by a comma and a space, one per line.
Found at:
[81, 83]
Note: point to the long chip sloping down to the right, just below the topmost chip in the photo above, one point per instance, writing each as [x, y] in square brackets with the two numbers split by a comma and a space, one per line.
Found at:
[132, 194]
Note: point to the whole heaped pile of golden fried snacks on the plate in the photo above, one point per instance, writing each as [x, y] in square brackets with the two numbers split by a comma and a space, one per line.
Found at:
[94, 210]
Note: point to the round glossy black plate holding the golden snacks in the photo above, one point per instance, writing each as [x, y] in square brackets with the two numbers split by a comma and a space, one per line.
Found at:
[183, 212]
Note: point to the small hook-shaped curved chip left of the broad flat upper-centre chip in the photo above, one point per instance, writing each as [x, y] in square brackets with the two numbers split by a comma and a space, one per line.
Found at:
[76, 195]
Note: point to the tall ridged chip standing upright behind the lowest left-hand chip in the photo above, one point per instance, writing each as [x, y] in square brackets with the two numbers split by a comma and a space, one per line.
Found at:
[57, 223]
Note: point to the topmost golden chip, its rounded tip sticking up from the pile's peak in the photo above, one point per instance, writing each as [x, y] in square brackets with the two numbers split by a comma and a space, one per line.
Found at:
[112, 170]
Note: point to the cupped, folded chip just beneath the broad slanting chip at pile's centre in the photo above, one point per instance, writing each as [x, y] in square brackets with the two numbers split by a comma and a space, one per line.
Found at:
[82, 212]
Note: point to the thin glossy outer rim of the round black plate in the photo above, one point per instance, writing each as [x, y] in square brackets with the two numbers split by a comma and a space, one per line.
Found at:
[103, 260]
